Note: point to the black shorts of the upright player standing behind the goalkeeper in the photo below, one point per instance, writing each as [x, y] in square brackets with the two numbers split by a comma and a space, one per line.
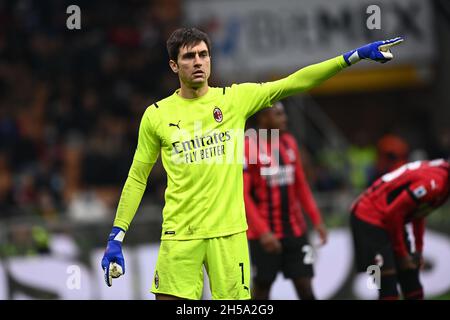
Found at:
[295, 260]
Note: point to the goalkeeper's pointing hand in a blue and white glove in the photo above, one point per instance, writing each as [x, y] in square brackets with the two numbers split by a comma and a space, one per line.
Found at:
[378, 51]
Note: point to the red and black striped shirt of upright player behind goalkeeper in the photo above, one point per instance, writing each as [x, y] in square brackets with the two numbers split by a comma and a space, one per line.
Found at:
[275, 191]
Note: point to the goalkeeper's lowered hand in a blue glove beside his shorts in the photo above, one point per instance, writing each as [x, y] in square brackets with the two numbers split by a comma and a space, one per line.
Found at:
[113, 263]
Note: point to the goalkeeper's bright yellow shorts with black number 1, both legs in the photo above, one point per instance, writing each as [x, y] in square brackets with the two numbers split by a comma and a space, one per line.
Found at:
[179, 269]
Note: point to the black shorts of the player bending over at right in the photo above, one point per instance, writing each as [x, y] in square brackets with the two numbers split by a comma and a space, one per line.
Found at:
[372, 245]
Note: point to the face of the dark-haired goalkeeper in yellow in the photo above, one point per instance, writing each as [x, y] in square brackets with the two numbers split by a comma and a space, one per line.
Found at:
[193, 65]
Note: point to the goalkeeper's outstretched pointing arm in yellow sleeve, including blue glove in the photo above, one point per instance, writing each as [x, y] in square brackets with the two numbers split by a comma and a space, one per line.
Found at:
[254, 96]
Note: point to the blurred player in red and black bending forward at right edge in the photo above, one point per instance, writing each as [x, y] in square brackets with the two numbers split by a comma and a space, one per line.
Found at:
[407, 194]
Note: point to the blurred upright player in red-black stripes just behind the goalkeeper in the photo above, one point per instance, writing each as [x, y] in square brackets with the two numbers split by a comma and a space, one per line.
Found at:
[276, 191]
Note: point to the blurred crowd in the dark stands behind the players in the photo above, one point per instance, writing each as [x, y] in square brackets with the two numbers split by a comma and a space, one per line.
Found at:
[71, 102]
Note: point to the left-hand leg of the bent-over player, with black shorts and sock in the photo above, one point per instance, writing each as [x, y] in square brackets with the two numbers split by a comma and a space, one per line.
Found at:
[372, 248]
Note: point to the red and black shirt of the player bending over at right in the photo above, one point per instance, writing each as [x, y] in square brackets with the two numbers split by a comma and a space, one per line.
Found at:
[405, 195]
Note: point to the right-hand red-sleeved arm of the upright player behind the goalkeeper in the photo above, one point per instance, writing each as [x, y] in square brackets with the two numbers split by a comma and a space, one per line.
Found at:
[307, 200]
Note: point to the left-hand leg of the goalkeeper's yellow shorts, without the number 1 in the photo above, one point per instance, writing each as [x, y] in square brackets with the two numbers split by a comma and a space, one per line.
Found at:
[179, 270]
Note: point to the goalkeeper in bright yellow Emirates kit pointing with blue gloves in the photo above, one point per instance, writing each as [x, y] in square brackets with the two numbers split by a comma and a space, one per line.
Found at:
[195, 129]
